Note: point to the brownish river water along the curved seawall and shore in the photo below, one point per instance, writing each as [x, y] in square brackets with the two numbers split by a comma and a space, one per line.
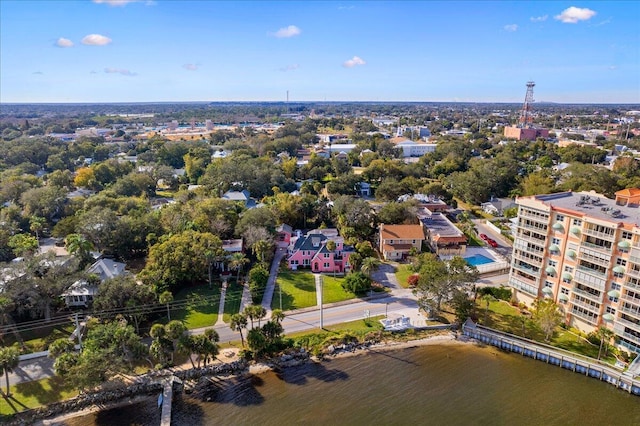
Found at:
[429, 385]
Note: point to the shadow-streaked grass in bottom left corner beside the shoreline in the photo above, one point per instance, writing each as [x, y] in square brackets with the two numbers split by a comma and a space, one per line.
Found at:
[35, 394]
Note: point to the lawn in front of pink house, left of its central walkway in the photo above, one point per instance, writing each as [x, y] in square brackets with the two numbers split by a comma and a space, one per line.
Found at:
[298, 290]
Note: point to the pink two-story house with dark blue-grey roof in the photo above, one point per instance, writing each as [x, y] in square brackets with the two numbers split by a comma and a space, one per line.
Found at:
[310, 251]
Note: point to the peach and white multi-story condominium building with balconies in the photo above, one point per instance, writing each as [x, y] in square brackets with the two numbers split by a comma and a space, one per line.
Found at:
[582, 250]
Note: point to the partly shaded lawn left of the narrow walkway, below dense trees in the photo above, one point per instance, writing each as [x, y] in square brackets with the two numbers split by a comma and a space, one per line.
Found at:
[202, 305]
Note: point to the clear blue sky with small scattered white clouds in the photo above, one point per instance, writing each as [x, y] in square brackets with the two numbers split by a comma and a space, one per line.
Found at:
[146, 51]
